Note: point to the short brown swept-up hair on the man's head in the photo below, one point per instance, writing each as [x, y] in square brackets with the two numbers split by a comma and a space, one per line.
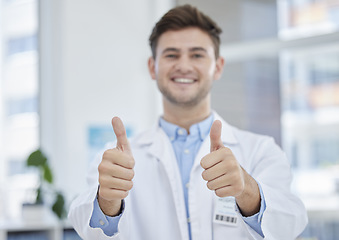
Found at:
[183, 17]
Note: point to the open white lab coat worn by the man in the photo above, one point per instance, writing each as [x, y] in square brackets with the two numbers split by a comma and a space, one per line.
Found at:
[155, 207]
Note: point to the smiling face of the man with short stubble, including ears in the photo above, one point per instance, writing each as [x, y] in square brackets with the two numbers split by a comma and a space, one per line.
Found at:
[185, 67]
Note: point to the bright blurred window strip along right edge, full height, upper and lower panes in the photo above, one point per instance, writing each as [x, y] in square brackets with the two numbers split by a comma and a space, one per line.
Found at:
[310, 108]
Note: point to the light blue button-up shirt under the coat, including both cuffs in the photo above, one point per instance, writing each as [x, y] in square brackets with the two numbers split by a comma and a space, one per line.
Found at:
[185, 145]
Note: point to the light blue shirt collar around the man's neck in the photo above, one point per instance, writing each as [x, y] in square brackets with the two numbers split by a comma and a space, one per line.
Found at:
[200, 129]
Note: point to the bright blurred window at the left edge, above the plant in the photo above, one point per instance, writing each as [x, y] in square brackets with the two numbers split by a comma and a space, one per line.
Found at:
[19, 121]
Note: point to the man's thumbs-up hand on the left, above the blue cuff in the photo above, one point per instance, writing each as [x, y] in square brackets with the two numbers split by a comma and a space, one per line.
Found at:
[115, 172]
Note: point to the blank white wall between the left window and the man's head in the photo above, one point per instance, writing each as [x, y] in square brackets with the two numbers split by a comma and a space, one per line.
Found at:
[93, 66]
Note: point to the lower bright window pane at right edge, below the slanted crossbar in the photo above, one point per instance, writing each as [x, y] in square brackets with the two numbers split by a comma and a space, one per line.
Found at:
[310, 118]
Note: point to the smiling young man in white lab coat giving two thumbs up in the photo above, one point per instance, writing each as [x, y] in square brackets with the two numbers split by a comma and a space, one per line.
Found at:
[192, 176]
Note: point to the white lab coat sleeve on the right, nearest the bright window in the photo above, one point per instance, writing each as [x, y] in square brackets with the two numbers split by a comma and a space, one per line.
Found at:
[285, 215]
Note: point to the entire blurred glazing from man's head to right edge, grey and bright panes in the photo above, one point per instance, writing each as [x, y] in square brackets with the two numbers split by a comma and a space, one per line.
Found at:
[287, 86]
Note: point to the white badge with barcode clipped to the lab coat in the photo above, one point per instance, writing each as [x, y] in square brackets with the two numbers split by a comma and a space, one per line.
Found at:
[225, 211]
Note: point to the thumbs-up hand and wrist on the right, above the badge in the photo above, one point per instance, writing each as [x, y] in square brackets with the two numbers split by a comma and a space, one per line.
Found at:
[226, 177]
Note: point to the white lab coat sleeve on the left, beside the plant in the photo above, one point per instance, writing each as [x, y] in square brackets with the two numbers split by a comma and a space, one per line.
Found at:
[81, 208]
